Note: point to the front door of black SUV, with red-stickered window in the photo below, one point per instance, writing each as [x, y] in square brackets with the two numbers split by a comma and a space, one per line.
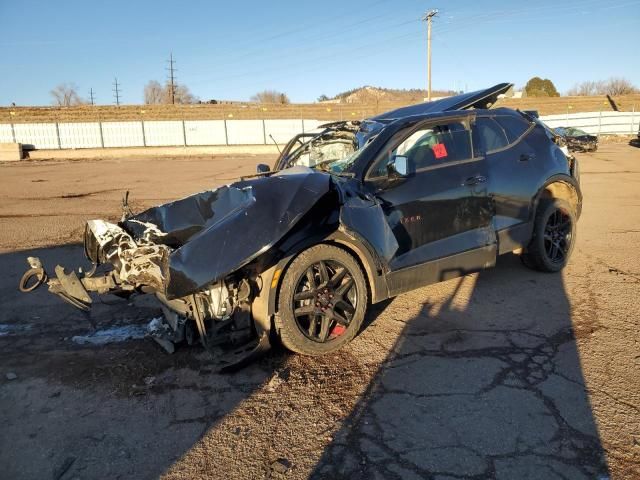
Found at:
[433, 192]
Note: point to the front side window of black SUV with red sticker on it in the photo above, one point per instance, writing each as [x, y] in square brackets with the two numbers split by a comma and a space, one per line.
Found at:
[429, 146]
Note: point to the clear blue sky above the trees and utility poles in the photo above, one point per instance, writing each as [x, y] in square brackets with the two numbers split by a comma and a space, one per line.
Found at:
[231, 50]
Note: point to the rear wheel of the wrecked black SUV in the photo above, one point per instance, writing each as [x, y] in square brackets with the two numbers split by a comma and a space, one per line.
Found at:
[554, 235]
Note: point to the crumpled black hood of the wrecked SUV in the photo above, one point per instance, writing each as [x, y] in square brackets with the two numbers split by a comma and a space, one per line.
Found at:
[214, 233]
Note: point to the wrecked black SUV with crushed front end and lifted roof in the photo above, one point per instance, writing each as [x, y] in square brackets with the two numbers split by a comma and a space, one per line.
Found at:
[355, 214]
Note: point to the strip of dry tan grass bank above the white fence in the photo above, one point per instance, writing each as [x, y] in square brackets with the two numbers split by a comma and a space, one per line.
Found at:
[545, 106]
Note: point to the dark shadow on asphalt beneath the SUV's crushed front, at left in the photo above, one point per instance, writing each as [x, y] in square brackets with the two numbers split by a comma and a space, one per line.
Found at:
[123, 410]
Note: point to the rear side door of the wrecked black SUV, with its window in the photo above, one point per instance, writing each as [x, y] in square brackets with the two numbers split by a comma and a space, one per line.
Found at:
[514, 170]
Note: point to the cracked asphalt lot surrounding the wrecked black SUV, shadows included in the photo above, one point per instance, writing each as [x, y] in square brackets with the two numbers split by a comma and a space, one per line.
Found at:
[507, 373]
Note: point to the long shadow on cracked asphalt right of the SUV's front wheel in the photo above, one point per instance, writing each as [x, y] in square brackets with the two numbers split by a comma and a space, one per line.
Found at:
[485, 381]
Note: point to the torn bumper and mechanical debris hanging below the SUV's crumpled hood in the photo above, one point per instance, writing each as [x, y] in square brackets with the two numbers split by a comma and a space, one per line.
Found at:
[137, 267]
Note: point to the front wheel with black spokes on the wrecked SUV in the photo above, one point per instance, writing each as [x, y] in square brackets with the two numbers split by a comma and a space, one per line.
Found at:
[323, 300]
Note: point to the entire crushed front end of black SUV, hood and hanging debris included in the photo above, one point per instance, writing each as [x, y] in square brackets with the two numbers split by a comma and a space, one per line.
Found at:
[204, 258]
